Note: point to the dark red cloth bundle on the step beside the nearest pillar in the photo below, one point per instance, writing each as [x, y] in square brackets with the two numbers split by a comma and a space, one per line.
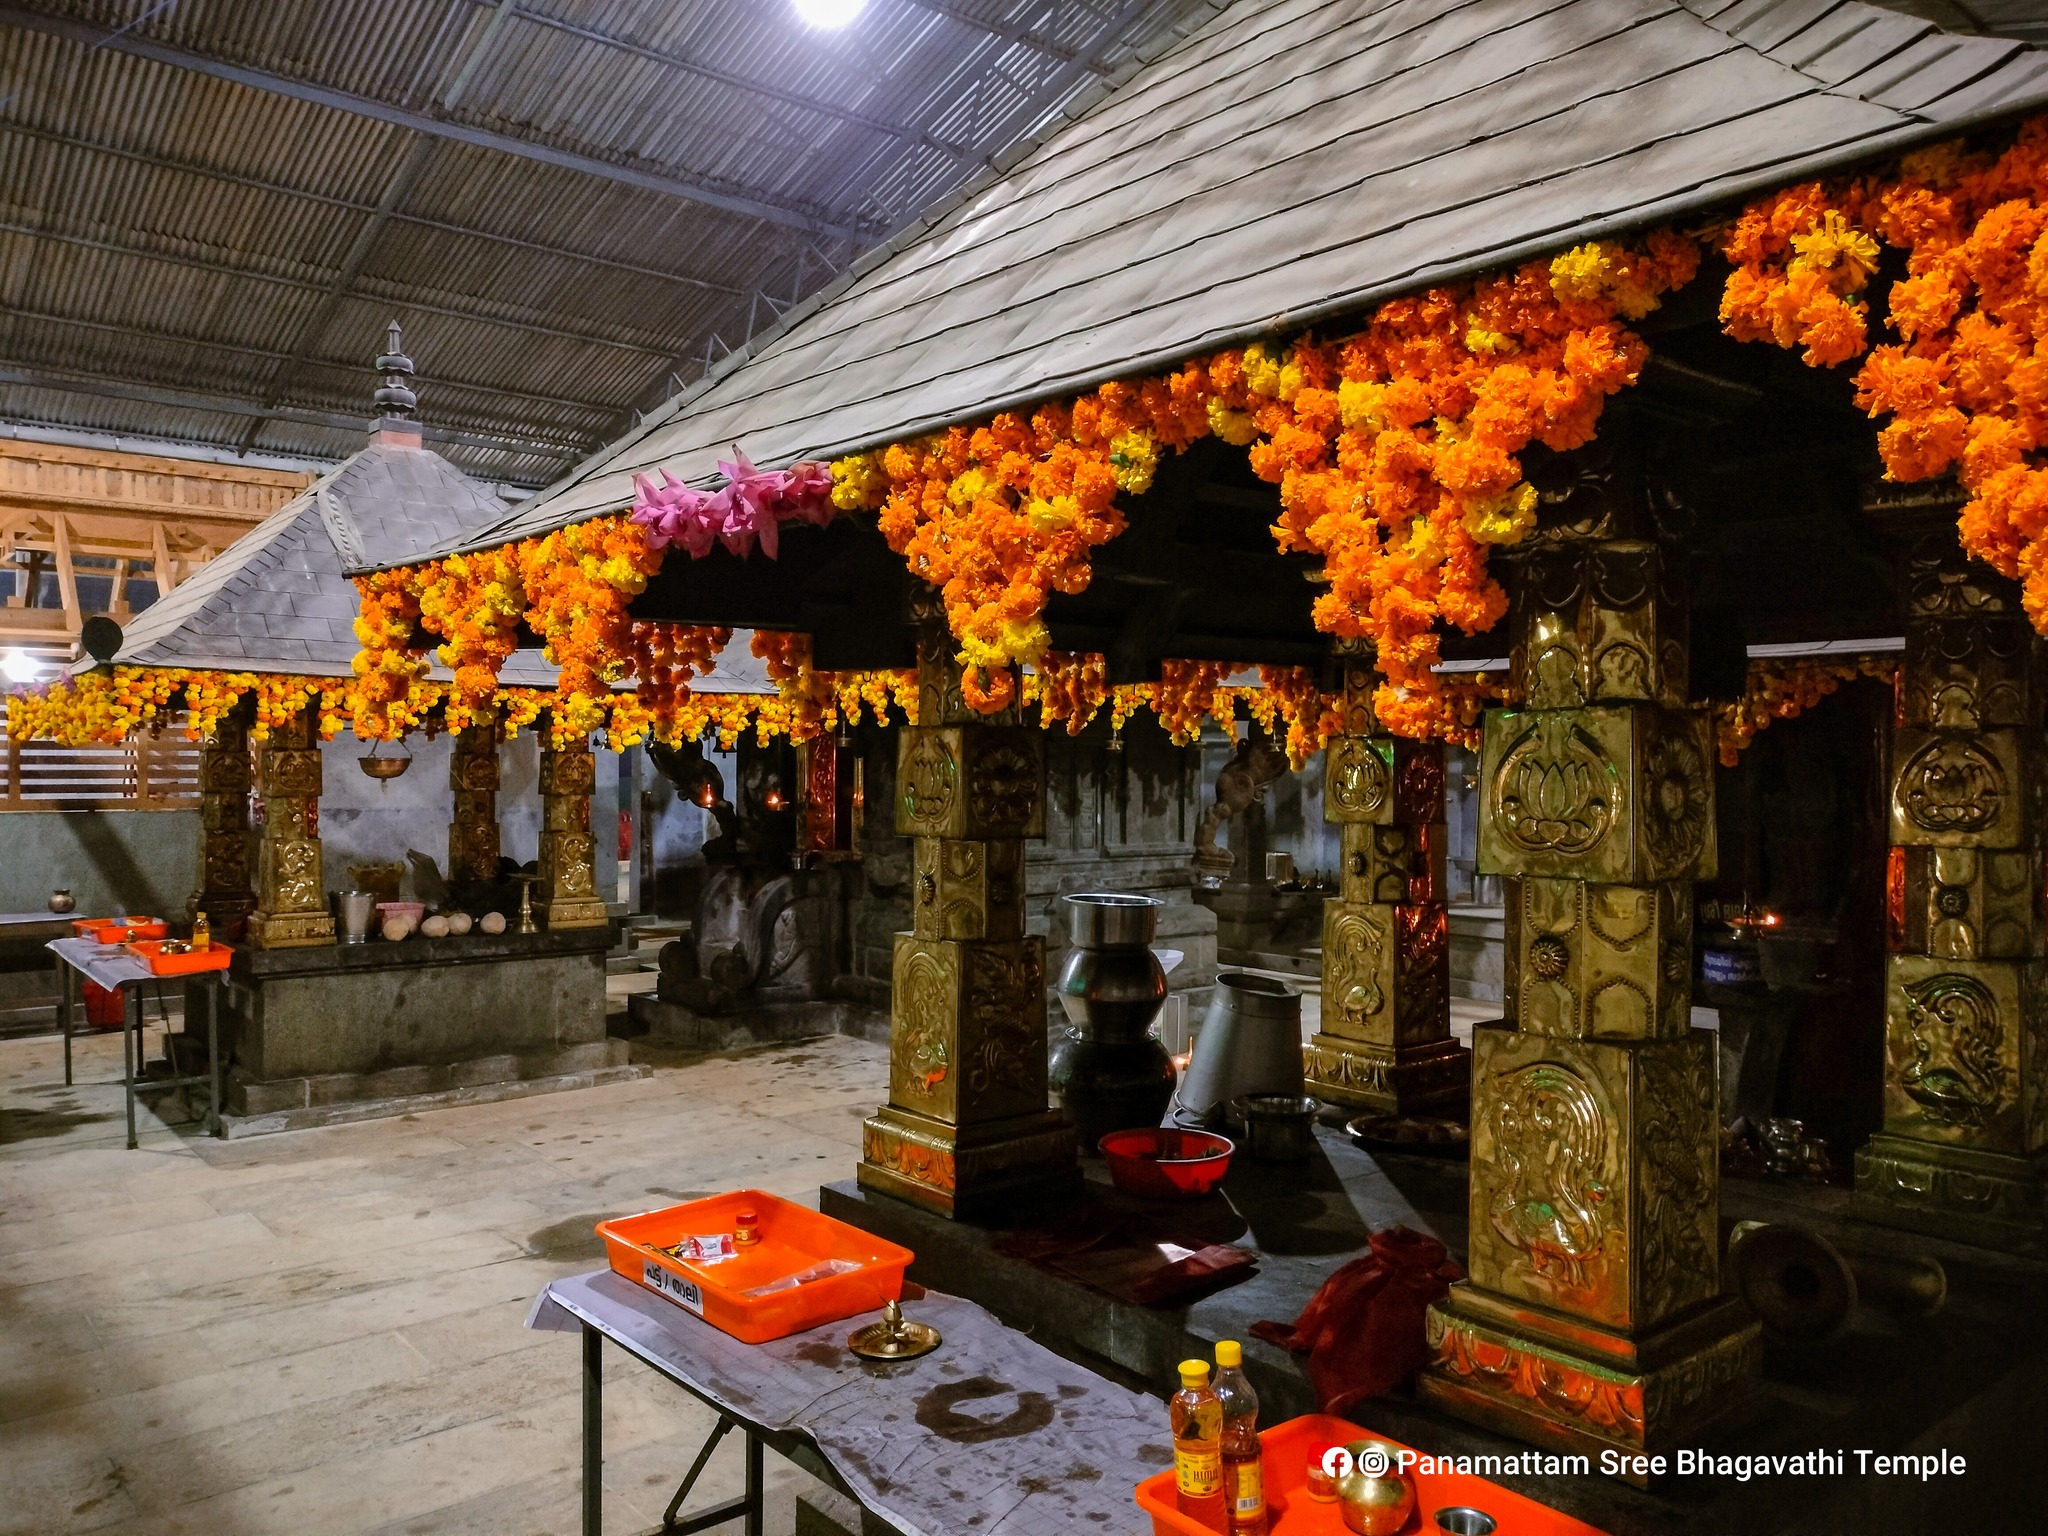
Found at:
[1363, 1332]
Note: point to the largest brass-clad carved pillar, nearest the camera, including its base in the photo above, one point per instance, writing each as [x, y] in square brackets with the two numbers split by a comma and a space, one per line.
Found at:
[1592, 1316]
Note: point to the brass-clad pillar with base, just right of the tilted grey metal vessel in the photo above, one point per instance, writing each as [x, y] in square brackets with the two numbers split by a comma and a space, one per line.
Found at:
[1385, 1041]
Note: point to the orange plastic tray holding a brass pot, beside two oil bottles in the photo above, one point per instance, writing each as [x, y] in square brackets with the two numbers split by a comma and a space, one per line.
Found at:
[1295, 1514]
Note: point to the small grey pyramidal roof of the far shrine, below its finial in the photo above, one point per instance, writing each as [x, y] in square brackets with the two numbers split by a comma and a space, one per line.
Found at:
[280, 601]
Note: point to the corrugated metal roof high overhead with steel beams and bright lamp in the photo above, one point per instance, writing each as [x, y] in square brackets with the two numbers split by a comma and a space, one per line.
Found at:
[226, 202]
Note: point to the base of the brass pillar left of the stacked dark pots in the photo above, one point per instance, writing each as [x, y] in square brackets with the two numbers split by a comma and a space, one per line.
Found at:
[966, 1172]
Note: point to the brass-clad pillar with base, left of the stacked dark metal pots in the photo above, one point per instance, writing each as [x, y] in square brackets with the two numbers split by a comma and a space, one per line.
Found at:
[968, 1127]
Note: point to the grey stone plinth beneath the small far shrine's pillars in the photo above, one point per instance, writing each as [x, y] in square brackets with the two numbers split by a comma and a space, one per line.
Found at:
[361, 1023]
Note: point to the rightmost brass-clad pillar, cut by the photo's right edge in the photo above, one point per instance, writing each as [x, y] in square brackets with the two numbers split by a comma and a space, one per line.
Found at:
[1965, 988]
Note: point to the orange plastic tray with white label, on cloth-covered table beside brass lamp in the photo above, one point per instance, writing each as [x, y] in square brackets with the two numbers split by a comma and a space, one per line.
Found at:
[794, 1238]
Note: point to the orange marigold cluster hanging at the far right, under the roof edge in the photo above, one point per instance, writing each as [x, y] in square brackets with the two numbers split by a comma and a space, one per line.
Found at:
[1965, 386]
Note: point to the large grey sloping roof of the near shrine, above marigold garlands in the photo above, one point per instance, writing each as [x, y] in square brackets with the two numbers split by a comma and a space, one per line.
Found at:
[1297, 161]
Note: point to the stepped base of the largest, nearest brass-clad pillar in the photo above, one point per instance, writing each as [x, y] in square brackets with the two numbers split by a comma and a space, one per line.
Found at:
[1580, 1390]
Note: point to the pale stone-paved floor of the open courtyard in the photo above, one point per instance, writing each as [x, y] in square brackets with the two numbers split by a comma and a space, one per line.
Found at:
[321, 1332]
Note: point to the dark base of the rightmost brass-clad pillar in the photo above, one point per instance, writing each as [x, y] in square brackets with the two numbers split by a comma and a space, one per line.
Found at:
[1988, 1199]
